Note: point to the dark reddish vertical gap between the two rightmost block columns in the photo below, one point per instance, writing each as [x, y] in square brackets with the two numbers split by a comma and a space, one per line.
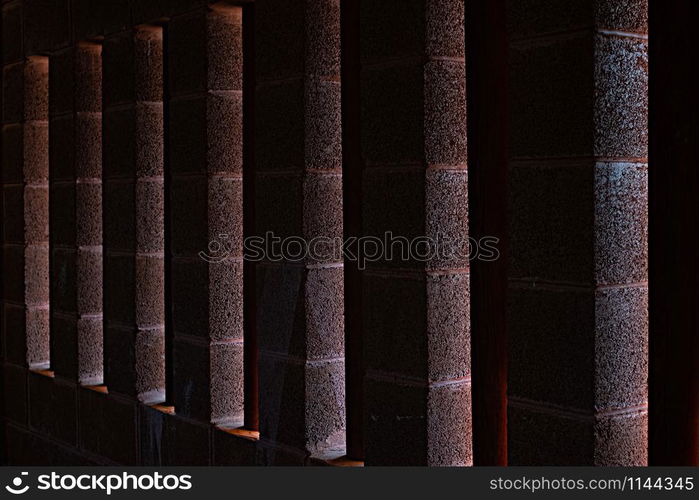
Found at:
[487, 63]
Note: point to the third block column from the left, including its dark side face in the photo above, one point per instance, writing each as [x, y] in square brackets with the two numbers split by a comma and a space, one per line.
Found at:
[133, 213]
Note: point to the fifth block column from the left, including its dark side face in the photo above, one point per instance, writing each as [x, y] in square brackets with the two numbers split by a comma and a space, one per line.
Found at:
[298, 191]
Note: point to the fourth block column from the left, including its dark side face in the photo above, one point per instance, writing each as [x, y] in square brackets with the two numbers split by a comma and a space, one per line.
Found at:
[206, 158]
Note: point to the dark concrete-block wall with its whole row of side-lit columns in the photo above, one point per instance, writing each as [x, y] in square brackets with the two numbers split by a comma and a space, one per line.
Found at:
[138, 134]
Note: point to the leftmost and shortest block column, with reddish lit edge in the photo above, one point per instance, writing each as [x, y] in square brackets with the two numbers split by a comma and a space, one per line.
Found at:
[26, 203]
